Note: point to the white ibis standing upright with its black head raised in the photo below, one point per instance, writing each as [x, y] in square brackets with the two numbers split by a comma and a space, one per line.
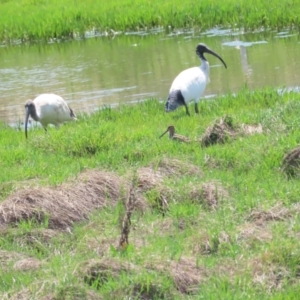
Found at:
[190, 84]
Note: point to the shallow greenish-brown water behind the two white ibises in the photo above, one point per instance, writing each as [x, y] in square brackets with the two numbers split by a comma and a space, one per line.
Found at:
[131, 67]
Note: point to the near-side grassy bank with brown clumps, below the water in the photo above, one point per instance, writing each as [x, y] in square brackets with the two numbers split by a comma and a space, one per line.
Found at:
[104, 209]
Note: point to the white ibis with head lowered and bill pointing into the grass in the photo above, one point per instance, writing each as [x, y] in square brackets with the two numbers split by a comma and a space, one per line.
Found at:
[48, 109]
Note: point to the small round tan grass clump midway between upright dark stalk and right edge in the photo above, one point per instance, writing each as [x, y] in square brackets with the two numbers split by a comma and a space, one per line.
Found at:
[209, 194]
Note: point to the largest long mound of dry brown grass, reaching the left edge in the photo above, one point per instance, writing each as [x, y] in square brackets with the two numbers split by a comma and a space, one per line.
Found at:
[64, 205]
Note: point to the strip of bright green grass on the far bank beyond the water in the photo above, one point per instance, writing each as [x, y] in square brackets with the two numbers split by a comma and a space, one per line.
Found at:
[41, 19]
